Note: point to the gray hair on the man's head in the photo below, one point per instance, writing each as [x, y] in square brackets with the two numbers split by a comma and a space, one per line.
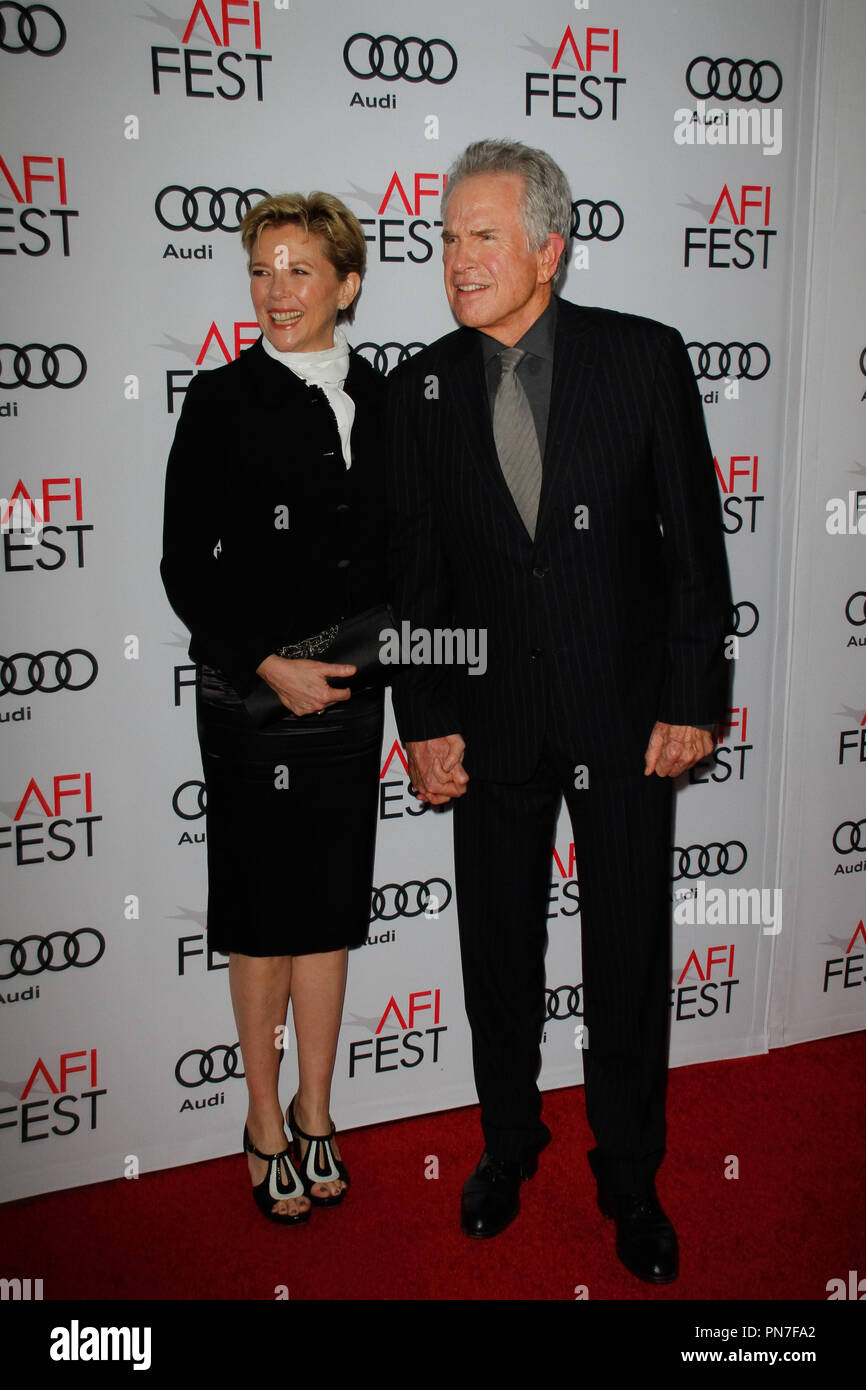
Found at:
[547, 202]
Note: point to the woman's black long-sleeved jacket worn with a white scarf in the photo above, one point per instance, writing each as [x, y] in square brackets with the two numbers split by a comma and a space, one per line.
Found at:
[269, 539]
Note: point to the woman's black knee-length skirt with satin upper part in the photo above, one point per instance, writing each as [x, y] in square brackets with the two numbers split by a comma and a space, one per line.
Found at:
[291, 822]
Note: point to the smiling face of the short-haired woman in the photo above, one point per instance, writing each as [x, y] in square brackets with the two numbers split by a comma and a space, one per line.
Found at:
[295, 290]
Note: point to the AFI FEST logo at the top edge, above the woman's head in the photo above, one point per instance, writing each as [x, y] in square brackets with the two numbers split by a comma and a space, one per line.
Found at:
[234, 74]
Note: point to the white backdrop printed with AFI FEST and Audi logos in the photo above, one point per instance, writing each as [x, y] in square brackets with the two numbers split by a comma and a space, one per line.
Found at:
[131, 137]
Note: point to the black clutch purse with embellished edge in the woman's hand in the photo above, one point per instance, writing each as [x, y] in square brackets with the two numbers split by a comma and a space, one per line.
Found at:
[355, 641]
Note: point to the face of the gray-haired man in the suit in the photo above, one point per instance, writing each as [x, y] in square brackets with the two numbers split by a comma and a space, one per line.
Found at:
[493, 281]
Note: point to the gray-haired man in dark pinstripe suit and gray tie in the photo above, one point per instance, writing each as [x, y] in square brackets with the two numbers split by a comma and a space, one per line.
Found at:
[562, 501]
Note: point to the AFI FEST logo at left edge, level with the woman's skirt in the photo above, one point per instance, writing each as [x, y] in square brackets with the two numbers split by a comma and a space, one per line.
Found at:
[58, 837]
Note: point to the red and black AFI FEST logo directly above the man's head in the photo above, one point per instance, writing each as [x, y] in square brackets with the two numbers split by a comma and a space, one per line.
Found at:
[583, 79]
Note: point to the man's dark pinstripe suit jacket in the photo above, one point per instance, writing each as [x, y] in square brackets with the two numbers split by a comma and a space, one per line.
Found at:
[612, 618]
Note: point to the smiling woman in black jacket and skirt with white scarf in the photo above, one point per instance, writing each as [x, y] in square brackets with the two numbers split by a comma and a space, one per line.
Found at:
[275, 532]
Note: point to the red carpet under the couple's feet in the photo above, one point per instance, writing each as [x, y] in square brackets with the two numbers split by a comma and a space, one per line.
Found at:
[789, 1224]
